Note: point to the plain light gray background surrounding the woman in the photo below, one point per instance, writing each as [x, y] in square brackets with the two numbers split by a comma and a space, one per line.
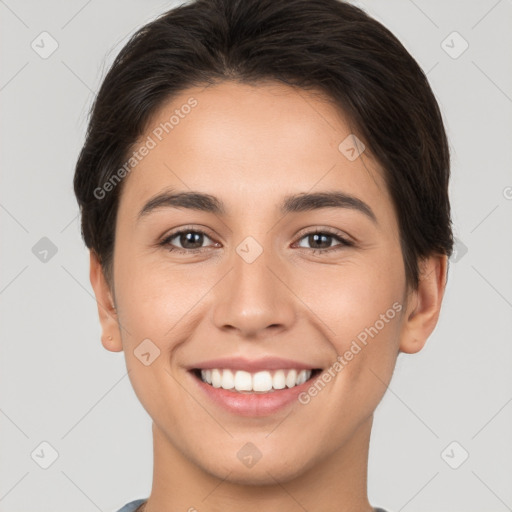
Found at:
[60, 386]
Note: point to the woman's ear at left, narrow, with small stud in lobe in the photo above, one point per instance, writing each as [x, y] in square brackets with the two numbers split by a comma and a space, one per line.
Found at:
[111, 335]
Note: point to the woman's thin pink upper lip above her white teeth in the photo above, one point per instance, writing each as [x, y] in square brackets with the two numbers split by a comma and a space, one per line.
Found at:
[252, 365]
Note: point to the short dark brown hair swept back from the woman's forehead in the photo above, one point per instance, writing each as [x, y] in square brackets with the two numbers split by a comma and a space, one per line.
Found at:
[324, 45]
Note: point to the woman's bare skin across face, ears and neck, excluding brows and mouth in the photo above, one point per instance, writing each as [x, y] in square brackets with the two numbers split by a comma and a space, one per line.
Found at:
[290, 302]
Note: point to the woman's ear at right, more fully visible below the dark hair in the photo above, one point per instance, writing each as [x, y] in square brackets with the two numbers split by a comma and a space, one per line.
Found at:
[424, 304]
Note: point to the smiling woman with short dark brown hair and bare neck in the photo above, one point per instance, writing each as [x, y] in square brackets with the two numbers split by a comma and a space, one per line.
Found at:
[264, 193]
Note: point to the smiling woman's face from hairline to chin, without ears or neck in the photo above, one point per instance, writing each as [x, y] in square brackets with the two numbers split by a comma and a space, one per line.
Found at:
[257, 278]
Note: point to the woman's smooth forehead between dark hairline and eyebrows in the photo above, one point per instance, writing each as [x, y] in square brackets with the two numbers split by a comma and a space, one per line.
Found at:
[248, 143]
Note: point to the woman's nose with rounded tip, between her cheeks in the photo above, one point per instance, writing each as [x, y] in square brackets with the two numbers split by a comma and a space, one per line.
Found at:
[252, 301]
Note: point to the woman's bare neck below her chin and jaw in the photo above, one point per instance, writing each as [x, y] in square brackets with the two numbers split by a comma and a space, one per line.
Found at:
[334, 483]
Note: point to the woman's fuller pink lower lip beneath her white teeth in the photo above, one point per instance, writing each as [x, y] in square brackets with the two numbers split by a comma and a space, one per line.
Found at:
[252, 404]
